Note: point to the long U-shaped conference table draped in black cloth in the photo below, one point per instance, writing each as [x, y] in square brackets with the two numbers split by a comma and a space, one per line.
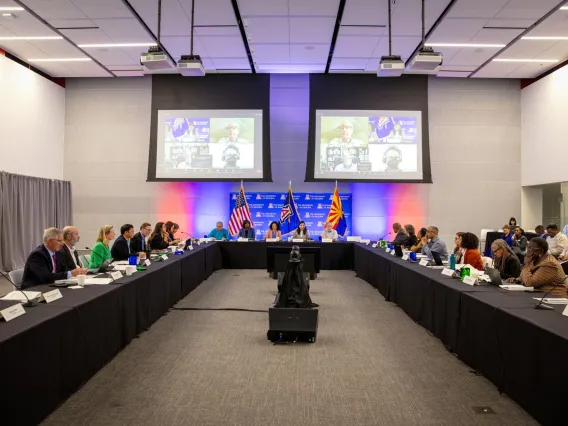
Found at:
[50, 352]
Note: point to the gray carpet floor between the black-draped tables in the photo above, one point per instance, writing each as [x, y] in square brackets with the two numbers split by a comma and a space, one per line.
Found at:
[371, 365]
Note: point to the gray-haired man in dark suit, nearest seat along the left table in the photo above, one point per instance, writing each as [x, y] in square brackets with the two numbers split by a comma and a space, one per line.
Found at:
[46, 263]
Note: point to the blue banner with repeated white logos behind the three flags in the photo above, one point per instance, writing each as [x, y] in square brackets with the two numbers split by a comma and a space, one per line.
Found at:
[313, 207]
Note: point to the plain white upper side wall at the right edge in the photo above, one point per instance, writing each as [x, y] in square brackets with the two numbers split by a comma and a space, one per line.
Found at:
[544, 146]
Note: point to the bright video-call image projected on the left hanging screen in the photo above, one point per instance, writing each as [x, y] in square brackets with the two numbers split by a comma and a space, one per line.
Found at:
[209, 144]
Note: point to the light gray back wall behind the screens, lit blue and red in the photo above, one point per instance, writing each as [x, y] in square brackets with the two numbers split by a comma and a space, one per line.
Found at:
[474, 145]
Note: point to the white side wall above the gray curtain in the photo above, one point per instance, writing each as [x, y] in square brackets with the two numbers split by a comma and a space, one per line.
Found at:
[32, 116]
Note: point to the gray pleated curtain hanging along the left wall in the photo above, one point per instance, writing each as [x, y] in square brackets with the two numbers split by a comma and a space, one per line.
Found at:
[28, 205]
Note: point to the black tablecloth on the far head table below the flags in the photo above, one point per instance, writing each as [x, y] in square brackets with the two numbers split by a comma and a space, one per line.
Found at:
[252, 255]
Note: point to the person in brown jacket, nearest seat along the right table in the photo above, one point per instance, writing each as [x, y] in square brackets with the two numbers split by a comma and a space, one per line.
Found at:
[542, 271]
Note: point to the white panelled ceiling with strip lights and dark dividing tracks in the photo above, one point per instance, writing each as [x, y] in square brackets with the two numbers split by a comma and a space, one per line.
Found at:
[288, 35]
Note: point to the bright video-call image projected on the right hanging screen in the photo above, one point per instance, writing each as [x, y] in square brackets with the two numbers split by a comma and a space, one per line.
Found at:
[368, 145]
